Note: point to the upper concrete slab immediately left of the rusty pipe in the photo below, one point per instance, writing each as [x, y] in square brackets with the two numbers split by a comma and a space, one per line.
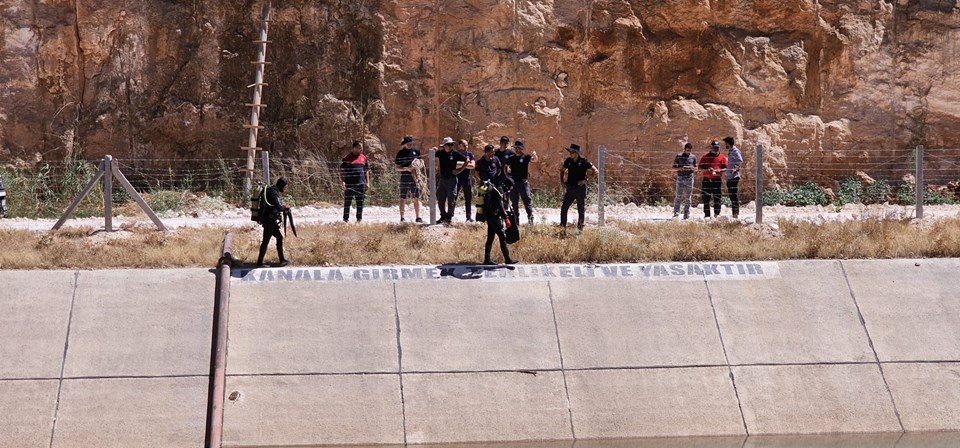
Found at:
[150, 323]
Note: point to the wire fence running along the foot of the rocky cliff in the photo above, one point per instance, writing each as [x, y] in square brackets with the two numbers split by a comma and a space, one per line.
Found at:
[630, 176]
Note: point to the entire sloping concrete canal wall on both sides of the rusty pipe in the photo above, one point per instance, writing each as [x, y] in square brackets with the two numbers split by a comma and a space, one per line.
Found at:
[448, 354]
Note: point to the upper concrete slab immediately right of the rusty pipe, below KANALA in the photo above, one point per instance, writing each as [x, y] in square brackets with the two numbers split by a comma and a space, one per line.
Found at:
[289, 328]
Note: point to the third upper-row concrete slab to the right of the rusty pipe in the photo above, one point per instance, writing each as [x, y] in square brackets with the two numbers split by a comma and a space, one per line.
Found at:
[604, 324]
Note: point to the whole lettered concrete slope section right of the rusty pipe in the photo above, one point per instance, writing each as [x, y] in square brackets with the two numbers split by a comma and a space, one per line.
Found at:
[448, 354]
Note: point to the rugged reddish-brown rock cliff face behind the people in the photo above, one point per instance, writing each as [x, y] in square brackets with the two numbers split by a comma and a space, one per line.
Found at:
[817, 82]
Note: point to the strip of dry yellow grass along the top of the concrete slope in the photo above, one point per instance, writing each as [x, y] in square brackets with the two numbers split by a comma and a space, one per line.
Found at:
[379, 244]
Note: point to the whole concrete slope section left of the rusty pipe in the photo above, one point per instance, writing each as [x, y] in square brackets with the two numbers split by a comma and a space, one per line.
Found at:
[134, 368]
